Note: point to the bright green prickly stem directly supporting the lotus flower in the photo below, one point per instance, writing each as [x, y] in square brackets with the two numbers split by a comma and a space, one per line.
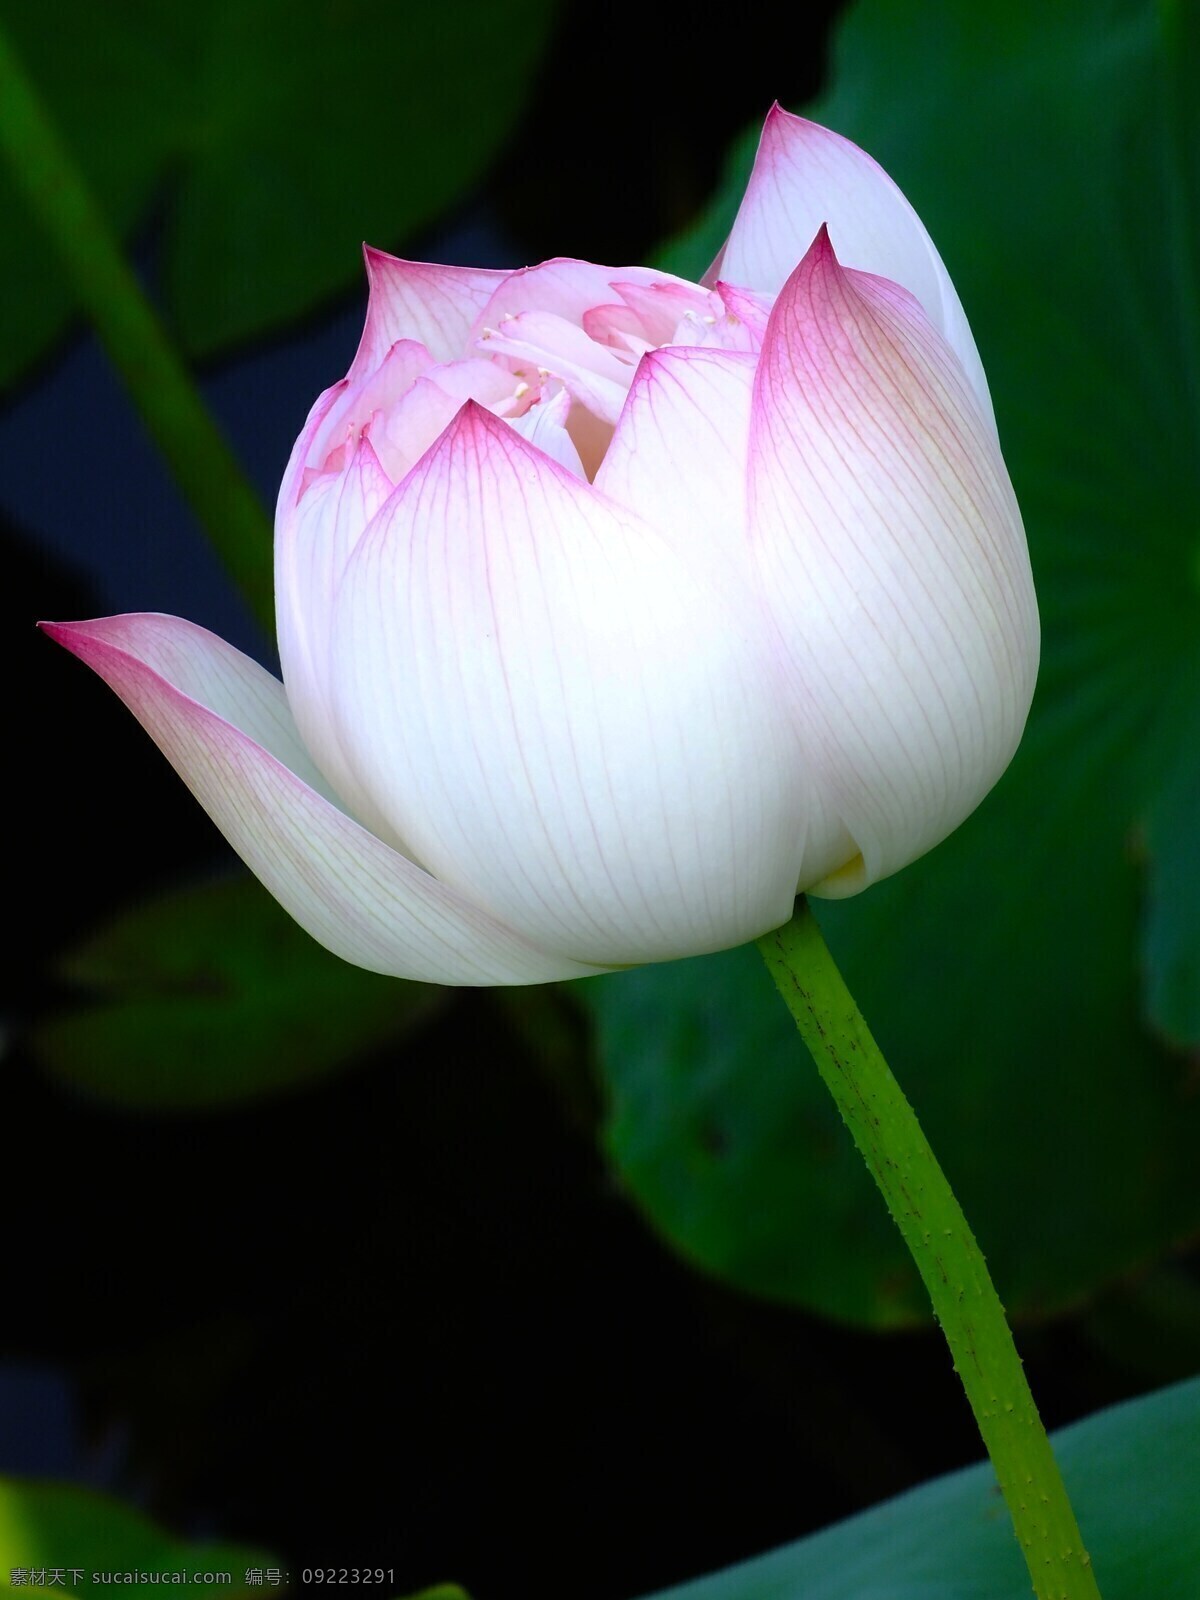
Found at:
[948, 1258]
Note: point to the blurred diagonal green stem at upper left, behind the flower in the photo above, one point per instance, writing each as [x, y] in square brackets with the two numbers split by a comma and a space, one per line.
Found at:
[135, 338]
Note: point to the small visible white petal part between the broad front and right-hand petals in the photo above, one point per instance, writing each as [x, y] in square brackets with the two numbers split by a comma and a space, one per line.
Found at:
[679, 452]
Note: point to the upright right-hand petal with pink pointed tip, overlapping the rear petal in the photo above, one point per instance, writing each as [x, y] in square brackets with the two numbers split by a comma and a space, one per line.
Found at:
[894, 556]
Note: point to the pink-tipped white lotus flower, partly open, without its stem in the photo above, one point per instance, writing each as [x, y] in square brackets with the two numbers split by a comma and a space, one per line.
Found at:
[614, 609]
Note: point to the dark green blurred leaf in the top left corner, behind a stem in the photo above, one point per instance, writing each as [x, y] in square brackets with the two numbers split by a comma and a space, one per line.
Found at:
[282, 132]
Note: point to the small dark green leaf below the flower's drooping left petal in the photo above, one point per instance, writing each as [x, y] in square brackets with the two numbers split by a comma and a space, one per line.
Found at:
[212, 994]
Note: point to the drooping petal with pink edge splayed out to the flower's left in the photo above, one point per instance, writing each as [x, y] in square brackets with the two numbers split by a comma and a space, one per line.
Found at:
[223, 724]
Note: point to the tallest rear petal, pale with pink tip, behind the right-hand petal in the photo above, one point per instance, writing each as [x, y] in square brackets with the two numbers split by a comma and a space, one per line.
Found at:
[806, 177]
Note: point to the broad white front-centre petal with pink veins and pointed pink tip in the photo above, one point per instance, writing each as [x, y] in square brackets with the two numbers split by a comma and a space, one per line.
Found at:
[564, 711]
